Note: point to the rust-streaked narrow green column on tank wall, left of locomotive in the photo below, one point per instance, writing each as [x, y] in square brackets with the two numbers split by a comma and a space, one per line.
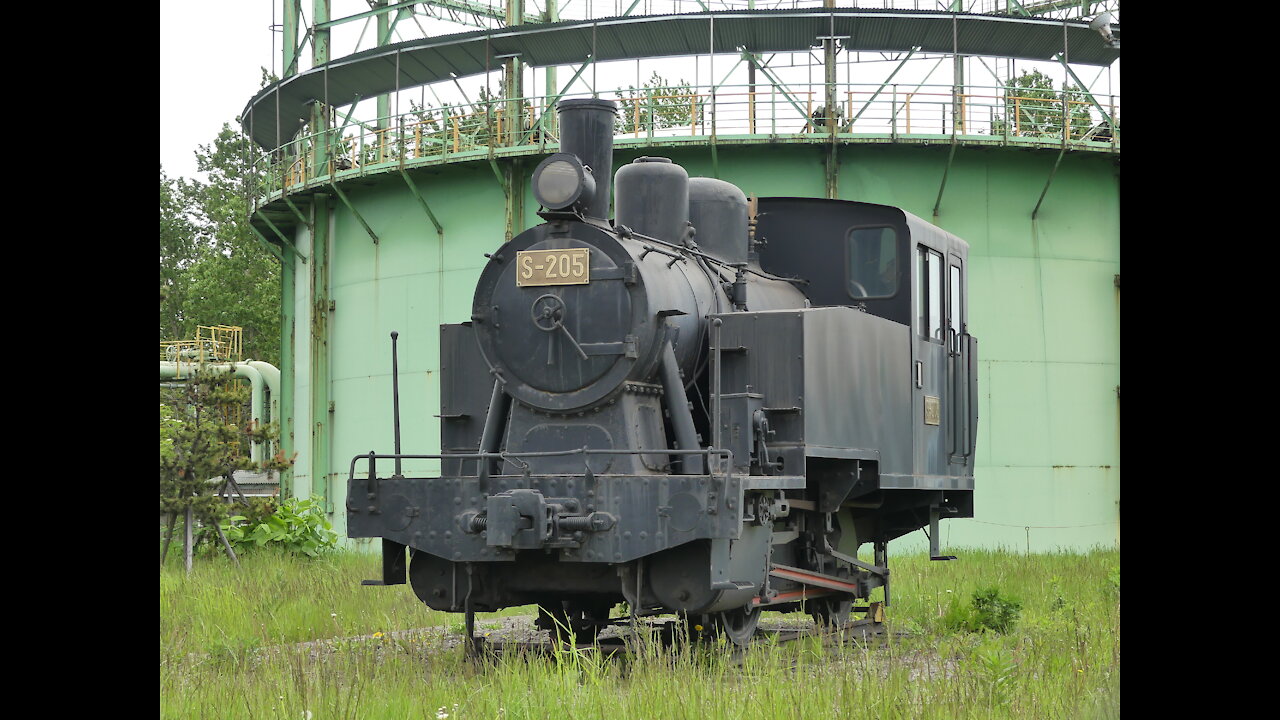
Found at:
[322, 407]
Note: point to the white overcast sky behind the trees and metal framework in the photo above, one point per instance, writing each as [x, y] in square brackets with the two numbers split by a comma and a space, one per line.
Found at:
[212, 54]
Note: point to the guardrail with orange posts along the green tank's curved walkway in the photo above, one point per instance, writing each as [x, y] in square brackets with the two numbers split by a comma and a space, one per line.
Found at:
[675, 116]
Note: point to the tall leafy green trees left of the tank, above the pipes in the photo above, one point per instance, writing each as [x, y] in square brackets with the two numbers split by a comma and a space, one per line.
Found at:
[213, 270]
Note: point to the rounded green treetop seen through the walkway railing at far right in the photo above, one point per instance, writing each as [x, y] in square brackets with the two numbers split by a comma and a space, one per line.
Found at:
[1035, 110]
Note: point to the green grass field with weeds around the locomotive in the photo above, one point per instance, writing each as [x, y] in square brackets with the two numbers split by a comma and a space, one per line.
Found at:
[230, 648]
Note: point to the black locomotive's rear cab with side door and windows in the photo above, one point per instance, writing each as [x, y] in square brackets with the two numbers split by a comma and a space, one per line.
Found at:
[903, 270]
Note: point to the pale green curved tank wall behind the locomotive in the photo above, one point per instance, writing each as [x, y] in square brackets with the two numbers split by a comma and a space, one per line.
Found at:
[1044, 306]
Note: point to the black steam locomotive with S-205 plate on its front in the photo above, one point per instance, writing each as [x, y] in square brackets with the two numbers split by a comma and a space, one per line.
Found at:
[702, 407]
